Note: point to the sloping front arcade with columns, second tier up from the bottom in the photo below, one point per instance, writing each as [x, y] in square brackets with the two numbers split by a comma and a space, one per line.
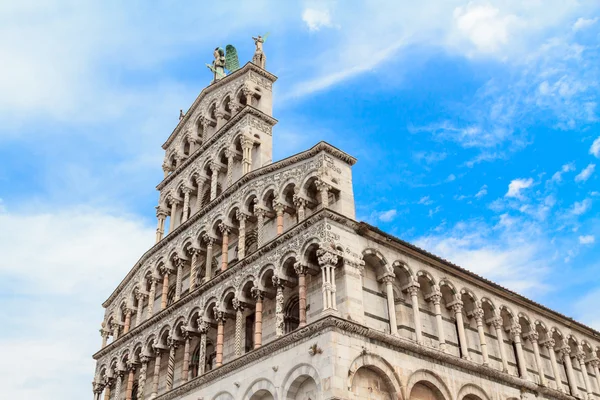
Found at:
[226, 239]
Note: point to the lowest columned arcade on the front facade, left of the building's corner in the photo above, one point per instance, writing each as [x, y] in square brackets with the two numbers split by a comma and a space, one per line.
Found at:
[262, 307]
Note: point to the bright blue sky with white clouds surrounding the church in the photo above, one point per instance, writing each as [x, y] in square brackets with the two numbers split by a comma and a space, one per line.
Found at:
[475, 123]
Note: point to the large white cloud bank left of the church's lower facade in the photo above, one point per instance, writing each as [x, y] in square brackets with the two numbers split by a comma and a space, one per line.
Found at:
[55, 275]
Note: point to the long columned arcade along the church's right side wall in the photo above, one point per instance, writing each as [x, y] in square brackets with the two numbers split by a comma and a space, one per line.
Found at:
[456, 320]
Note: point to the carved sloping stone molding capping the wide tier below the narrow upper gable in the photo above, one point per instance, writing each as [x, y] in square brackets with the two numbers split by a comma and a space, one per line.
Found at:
[236, 189]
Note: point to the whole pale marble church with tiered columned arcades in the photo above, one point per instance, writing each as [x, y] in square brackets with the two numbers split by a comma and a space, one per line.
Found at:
[262, 285]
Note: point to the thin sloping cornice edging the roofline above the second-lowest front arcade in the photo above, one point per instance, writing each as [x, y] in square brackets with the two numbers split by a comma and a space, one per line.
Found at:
[312, 152]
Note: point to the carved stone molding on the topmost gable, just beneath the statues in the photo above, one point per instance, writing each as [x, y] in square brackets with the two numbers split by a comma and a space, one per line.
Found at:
[220, 84]
